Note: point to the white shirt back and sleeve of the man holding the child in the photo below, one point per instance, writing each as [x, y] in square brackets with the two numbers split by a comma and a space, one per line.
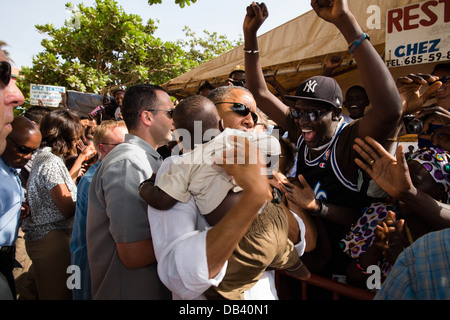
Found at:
[180, 248]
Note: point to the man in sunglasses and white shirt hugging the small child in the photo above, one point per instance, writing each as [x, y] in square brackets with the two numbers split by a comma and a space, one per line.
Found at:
[191, 255]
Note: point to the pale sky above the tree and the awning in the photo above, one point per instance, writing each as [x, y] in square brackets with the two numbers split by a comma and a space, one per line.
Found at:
[224, 17]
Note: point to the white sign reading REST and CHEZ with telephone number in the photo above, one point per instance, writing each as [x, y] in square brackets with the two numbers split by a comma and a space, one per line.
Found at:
[418, 33]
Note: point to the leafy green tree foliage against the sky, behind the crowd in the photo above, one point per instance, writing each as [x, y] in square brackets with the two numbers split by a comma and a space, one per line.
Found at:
[102, 48]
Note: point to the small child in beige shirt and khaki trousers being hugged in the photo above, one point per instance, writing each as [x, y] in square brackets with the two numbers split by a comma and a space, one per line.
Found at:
[266, 245]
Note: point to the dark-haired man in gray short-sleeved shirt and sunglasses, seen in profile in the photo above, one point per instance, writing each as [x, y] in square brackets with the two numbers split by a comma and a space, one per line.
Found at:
[120, 248]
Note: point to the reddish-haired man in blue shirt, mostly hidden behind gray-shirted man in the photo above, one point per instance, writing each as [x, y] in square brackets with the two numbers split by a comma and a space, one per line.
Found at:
[107, 136]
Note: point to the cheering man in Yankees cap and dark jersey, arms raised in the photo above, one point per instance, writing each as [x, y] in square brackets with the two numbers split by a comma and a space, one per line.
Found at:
[325, 165]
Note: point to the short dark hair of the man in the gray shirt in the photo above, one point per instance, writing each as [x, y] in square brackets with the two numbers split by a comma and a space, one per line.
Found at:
[138, 98]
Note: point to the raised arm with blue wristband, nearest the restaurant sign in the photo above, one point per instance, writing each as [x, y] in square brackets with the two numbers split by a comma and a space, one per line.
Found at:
[383, 119]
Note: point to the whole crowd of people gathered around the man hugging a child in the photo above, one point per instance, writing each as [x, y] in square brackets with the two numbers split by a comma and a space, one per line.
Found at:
[217, 214]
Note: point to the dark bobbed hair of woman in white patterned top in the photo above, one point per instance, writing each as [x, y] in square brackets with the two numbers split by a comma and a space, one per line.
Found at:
[59, 128]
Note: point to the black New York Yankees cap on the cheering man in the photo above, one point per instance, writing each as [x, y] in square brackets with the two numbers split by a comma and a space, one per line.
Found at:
[319, 88]
